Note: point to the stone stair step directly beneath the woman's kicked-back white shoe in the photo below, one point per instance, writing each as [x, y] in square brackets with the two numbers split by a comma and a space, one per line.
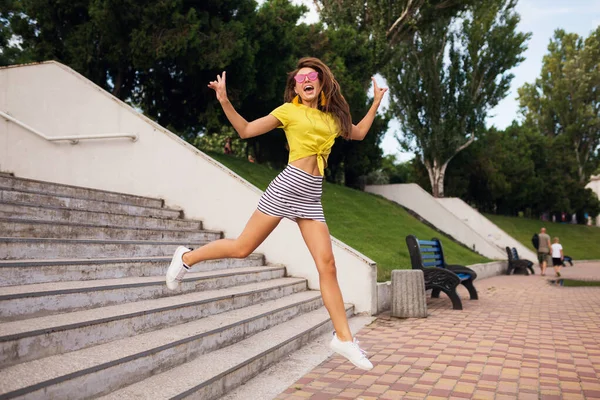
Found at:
[19, 302]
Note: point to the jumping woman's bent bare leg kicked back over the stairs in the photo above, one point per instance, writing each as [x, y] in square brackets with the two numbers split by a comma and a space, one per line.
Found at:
[256, 231]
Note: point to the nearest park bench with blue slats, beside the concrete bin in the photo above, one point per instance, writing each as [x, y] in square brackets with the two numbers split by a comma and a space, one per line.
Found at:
[428, 255]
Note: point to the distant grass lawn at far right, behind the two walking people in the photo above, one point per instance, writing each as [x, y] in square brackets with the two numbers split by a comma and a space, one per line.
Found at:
[579, 241]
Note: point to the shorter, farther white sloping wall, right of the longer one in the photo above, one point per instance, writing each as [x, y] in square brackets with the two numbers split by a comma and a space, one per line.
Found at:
[486, 228]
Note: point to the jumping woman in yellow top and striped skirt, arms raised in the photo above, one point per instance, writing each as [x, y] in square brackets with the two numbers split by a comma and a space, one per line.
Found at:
[313, 115]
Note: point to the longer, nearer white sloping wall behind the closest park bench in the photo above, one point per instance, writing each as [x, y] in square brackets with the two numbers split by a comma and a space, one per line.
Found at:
[413, 197]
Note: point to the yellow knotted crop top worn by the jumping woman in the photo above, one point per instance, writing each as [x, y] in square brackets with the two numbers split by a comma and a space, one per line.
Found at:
[308, 130]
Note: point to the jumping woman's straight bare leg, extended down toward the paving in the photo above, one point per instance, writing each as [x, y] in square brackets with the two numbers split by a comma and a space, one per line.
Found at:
[317, 239]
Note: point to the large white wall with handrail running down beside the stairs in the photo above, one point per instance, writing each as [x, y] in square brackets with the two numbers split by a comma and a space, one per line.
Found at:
[58, 101]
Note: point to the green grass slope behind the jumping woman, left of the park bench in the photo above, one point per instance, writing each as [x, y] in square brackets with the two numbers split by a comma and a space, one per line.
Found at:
[371, 224]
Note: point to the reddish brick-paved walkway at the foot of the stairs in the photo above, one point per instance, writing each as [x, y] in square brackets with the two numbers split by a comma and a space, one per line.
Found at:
[524, 338]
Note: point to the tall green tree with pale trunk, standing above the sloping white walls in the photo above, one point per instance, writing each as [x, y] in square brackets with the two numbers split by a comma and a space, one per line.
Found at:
[448, 75]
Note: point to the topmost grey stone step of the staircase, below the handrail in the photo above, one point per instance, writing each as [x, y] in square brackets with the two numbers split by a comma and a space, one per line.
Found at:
[33, 186]
